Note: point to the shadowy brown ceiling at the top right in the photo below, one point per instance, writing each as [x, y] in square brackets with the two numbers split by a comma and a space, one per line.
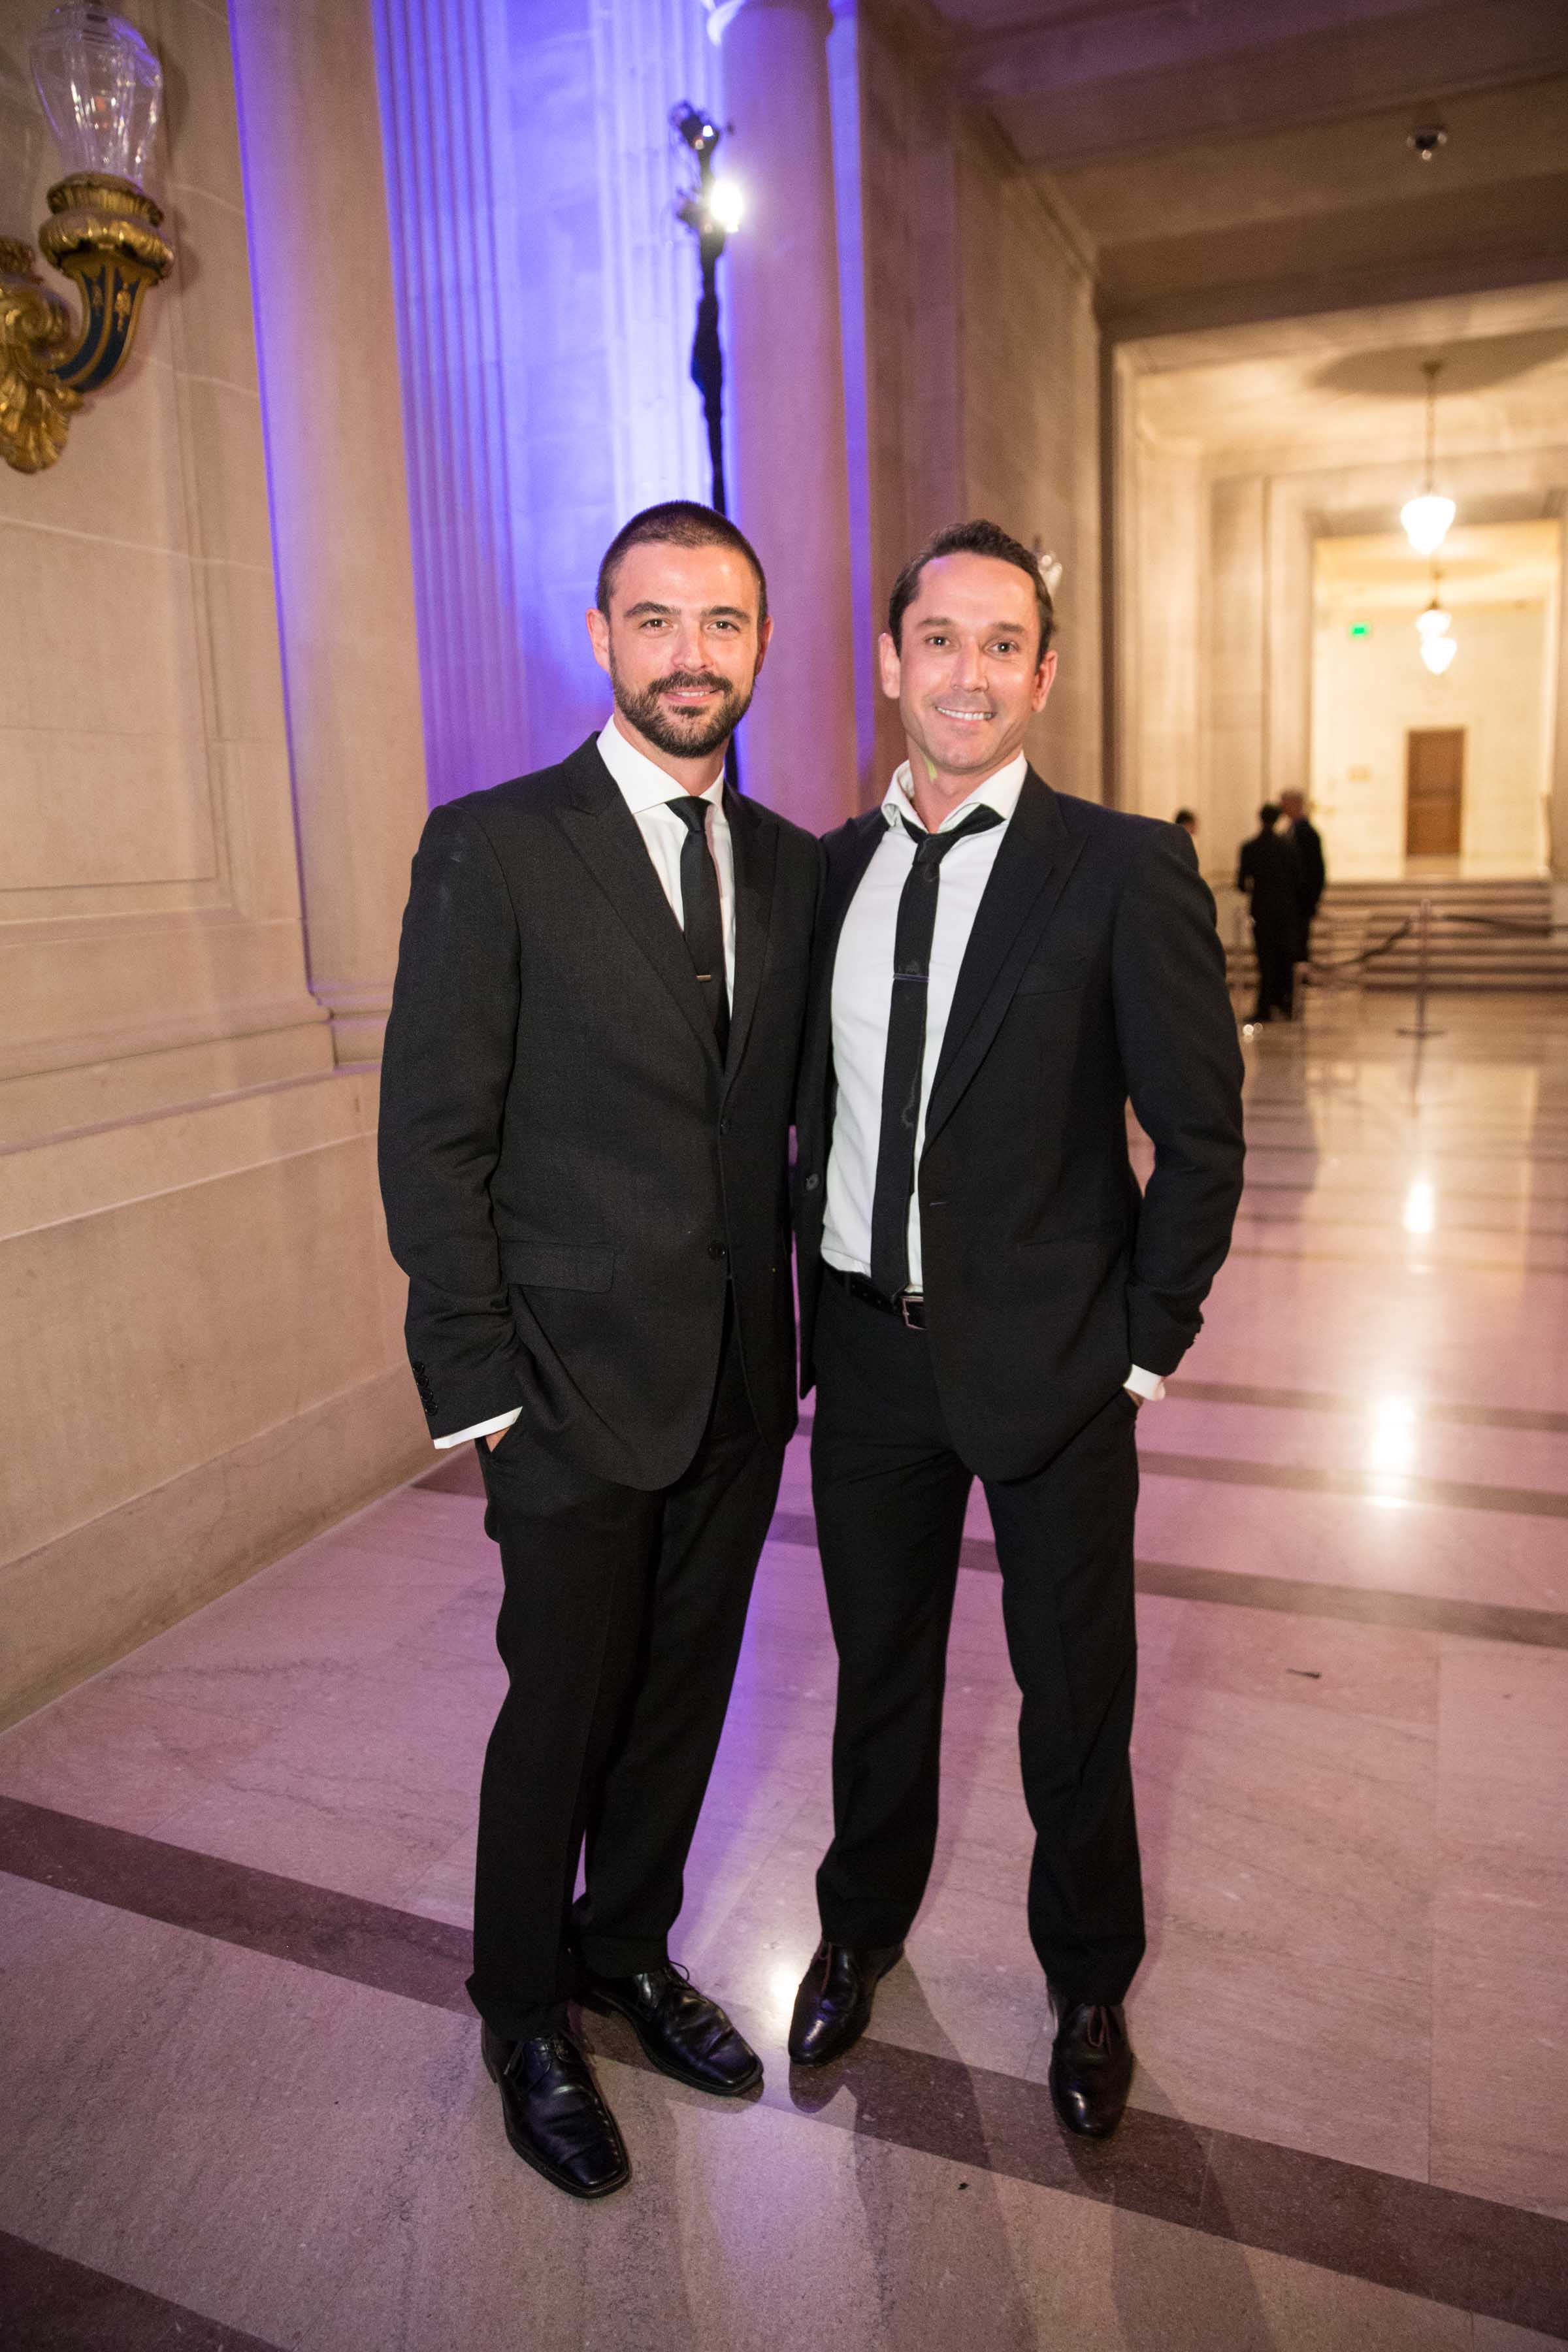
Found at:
[1247, 159]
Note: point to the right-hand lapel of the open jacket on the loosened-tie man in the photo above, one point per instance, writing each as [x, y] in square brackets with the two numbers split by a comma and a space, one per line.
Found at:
[1028, 878]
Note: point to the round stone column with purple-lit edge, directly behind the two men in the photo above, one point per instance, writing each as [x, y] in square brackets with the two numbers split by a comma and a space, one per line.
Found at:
[786, 406]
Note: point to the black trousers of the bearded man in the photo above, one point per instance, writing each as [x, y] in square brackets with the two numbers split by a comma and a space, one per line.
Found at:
[619, 1631]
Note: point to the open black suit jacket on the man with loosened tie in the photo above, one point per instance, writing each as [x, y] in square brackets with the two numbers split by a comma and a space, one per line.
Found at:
[1092, 975]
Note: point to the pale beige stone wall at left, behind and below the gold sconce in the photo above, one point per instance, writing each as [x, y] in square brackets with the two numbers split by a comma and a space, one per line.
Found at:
[201, 1358]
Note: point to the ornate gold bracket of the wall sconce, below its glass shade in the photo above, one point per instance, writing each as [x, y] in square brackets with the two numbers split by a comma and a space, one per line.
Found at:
[102, 232]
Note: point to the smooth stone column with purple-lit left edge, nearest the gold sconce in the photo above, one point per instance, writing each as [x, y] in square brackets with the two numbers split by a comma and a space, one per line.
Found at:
[328, 340]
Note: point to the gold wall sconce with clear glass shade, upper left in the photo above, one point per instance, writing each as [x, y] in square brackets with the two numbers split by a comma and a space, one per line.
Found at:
[102, 93]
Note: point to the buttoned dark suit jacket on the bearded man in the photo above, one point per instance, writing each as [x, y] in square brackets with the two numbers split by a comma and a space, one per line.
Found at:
[570, 1175]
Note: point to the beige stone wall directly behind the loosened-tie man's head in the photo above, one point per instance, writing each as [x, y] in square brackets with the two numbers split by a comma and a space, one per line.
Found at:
[979, 389]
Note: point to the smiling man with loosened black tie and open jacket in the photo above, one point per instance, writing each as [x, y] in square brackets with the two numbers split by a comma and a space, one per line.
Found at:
[986, 1292]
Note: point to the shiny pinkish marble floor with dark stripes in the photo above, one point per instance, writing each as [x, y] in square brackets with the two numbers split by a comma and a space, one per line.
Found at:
[241, 2087]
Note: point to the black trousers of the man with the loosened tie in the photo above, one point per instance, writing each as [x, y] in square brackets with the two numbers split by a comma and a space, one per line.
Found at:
[890, 1509]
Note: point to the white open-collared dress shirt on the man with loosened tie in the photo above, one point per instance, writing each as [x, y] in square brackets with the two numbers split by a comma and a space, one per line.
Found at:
[864, 998]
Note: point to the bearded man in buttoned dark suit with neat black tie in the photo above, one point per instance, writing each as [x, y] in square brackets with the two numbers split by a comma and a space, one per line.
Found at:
[584, 1158]
